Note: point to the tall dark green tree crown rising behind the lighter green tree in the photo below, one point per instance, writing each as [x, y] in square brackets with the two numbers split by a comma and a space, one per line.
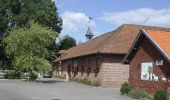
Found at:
[19, 13]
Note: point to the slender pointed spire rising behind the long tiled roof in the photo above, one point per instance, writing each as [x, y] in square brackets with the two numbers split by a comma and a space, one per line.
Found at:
[89, 33]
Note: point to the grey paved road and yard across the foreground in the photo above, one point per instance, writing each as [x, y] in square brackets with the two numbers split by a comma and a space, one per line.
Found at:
[20, 90]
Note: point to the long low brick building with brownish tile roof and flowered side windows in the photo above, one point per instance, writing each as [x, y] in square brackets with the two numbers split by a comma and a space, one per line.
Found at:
[100, 59]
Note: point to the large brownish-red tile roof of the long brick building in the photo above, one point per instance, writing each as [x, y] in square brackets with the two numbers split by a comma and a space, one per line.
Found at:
[116, 42]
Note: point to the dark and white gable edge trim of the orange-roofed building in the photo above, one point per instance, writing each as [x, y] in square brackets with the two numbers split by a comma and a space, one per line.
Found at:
[143, 32]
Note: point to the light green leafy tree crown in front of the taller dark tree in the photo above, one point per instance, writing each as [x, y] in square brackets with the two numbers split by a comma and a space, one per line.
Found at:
[28, 48]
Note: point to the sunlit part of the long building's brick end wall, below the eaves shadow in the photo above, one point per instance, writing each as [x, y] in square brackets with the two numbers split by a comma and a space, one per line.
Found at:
[114, 74]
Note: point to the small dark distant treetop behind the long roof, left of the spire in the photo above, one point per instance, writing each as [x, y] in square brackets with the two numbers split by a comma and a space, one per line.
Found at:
[66, 43]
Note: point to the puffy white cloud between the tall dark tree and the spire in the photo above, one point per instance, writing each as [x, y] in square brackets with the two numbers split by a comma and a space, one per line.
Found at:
[74, 21]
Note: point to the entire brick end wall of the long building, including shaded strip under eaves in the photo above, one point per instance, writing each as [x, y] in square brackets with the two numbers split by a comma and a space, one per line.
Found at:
[112, 72]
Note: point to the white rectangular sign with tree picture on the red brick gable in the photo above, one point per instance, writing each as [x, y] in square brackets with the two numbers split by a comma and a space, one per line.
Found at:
[146, 71]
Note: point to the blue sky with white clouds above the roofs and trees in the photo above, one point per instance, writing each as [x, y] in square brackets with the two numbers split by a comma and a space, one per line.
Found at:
[109, 14]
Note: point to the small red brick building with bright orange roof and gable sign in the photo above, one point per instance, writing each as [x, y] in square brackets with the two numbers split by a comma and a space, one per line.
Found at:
[149, 60]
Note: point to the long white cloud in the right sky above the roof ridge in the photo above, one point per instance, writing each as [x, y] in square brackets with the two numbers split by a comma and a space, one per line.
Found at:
[145, 16]
